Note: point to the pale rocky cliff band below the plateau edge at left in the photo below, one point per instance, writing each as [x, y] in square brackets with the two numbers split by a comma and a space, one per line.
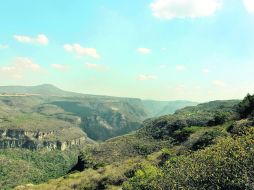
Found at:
[18, 138]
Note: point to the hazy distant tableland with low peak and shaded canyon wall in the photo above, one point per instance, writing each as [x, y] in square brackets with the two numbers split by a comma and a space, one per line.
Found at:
[101, 117]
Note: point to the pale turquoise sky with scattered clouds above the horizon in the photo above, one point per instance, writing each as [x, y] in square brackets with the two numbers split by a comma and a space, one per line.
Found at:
[198, 50]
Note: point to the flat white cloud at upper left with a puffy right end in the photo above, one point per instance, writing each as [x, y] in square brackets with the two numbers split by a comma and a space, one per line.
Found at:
[40, 39]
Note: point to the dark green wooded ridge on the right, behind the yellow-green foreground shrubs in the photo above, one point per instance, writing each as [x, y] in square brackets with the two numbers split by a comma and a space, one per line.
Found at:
[202, 115]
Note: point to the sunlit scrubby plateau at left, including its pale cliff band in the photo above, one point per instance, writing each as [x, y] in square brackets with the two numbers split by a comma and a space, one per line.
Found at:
[22, 127]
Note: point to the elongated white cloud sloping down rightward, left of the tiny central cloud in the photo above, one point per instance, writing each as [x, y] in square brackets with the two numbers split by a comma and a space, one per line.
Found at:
[81, 51]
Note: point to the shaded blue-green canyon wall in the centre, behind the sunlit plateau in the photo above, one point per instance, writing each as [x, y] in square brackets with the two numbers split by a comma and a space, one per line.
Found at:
[102, 119]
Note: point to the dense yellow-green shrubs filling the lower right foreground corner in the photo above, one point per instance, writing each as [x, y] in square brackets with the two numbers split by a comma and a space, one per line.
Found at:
[229, 164]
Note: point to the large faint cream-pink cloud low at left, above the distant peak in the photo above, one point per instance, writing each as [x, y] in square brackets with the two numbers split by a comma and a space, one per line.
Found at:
[19, 67]
